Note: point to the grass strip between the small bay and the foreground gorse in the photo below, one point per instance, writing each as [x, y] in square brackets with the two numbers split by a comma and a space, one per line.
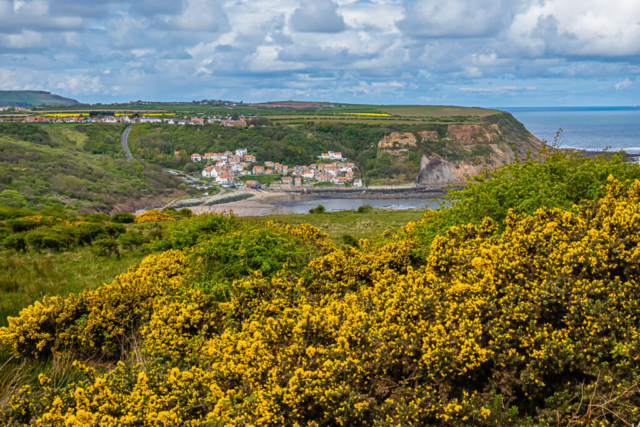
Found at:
[369, 225]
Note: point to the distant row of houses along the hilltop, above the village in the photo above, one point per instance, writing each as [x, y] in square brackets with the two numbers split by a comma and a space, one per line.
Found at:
[144, 119]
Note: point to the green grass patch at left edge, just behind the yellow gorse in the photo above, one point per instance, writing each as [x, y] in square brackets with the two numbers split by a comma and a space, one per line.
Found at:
[28, 277]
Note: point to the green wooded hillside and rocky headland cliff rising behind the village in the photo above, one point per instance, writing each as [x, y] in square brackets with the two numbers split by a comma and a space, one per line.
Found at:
[359, 142]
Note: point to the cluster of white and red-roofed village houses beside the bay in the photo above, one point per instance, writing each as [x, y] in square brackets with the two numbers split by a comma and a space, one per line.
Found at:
[227, 168]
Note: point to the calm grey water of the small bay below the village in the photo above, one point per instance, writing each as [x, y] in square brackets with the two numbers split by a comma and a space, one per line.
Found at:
[304, 203]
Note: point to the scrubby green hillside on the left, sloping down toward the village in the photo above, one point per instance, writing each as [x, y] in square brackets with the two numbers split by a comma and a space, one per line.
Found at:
[76, 168]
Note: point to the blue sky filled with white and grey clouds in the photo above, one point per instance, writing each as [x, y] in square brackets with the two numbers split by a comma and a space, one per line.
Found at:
[487, 53]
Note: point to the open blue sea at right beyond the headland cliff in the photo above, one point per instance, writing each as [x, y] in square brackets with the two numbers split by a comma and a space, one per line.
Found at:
[590, 128]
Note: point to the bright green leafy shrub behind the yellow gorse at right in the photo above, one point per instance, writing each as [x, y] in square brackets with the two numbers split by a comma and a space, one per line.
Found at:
[551, 178]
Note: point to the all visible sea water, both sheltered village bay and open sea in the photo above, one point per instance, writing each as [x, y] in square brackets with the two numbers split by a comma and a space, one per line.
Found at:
[585, 128]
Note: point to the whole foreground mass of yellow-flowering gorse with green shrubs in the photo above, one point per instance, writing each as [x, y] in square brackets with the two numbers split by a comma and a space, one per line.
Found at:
[526, 318]
